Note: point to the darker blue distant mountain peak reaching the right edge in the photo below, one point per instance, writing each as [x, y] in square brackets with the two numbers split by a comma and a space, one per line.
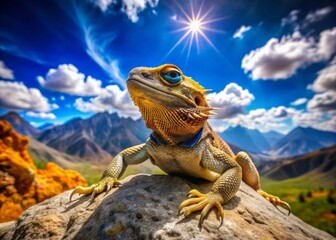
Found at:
[301, 141]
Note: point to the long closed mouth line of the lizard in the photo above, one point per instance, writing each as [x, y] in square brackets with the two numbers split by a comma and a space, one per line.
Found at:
[151, 87]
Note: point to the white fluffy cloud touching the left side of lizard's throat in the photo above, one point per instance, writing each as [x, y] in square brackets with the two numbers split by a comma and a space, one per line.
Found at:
[111, 99]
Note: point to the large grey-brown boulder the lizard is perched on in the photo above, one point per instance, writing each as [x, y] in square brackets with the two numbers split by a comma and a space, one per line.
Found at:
[145, 207]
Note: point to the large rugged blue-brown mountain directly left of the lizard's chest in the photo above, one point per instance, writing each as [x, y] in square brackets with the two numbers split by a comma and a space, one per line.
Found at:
[97, 137]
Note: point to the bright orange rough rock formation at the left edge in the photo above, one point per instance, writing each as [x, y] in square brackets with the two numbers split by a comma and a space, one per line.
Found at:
[21, 183]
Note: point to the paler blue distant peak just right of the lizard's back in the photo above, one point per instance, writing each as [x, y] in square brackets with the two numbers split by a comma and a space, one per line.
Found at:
[250, 140]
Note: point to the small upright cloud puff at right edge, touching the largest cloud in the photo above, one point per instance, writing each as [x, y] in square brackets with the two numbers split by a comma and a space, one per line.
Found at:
[327, 43]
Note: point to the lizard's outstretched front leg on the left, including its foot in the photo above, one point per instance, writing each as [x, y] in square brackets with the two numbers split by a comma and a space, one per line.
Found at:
[129, 156]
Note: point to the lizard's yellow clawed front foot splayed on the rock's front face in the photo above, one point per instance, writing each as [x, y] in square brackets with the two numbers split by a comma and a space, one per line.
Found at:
[203, 201]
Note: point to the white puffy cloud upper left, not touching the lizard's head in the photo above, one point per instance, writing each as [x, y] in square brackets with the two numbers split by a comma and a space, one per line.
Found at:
[67, 79]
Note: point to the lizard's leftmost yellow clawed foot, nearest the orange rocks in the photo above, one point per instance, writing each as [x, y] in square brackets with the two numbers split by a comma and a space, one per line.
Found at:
[104, 184]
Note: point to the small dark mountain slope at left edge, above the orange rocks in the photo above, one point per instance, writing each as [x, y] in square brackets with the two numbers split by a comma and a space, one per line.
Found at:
[19, 124]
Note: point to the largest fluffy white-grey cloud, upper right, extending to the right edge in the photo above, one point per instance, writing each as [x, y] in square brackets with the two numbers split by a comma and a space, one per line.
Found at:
[281, 58]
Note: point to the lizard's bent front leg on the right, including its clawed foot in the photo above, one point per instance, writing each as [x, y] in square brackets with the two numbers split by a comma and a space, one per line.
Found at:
[224, 188]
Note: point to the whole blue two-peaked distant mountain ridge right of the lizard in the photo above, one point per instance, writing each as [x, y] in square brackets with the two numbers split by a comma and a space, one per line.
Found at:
[297, 142]
